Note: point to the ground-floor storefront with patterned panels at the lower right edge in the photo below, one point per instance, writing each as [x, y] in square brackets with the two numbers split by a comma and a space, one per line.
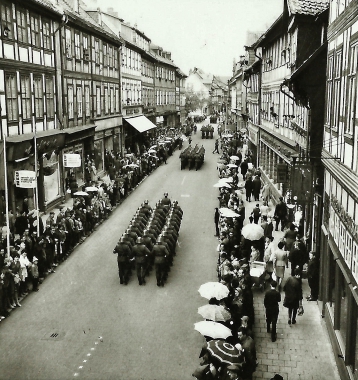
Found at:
[339, 279]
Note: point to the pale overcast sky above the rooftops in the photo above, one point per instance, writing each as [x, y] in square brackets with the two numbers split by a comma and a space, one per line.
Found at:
[199, 33]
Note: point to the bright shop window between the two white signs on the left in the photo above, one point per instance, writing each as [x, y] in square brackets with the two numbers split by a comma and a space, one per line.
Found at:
[51, 176]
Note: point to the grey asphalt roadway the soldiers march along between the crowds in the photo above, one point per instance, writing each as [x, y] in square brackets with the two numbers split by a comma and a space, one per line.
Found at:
[110, 331]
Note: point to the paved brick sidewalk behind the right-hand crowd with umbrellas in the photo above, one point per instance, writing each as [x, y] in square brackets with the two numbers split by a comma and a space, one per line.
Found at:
[301, 351]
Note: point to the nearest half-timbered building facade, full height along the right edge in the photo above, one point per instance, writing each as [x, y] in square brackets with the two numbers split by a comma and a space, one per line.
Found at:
[339, 252]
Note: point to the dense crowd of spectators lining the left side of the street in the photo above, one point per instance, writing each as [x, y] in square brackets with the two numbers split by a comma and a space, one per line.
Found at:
[37, 245]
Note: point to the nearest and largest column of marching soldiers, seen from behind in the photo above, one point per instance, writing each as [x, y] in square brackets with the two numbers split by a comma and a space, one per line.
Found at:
[150, 240]
